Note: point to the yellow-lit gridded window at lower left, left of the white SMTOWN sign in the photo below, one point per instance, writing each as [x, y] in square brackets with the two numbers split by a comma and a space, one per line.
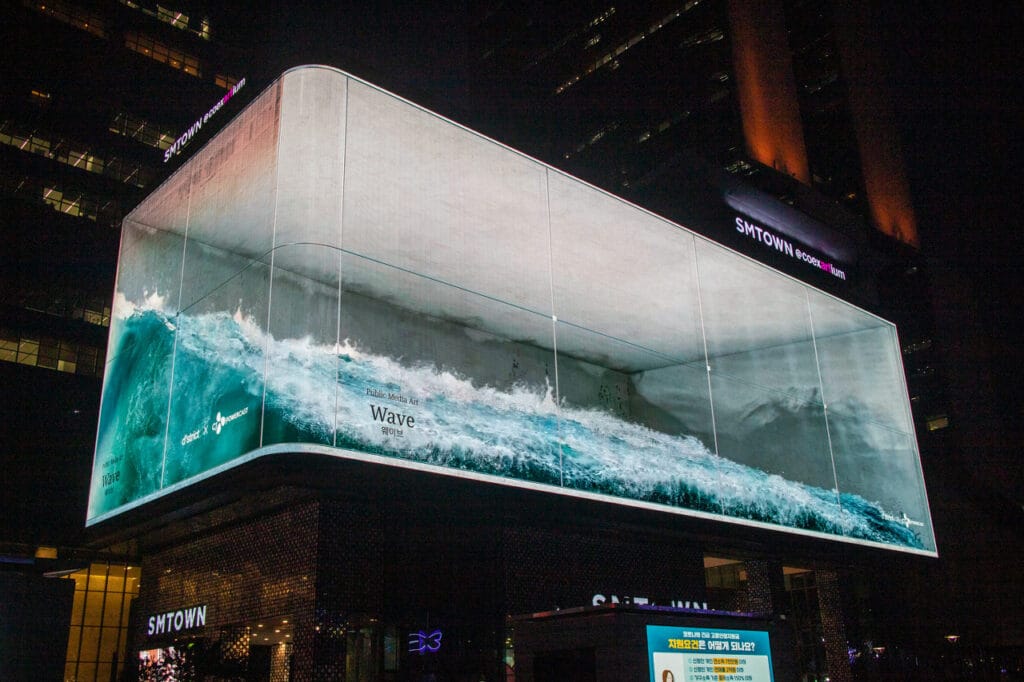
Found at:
[98, 638]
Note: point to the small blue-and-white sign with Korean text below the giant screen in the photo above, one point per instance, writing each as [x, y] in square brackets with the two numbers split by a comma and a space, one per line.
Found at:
[708, 655]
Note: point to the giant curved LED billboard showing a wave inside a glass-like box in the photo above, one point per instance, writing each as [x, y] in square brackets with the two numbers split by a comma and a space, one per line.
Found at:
[342, 272]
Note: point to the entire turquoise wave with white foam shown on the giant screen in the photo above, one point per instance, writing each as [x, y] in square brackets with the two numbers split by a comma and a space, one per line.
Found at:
[353, 399]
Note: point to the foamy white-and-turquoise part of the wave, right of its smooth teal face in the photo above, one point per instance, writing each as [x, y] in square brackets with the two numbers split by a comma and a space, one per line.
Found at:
[326, 390]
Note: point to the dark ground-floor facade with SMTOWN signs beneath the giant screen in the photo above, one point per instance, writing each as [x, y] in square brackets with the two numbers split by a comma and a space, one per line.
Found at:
[409, 576]
